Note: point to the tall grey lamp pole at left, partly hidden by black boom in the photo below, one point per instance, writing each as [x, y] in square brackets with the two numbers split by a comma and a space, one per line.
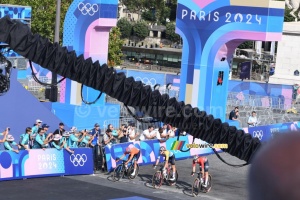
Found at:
[54, 90]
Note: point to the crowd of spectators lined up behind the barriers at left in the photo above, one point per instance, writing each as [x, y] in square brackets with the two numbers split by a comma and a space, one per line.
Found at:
[39, 137]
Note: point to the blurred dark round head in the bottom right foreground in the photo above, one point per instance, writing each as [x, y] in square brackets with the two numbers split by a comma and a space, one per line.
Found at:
[275, 169]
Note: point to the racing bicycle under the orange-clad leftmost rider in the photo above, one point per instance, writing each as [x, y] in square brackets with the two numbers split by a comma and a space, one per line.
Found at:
[121, 170]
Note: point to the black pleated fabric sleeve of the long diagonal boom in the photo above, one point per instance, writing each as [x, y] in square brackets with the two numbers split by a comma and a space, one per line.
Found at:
[67, 64]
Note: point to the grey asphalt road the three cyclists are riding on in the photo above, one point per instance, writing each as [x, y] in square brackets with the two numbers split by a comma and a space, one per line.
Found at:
[228, 184]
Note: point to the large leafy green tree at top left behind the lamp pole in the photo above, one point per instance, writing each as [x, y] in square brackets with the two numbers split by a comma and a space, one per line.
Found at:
[43, 15]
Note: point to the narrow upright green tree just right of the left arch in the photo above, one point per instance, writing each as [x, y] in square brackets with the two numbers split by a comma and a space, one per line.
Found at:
[114, 47]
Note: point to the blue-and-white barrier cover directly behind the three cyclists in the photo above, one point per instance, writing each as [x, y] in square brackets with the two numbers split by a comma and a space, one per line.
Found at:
[150, 150]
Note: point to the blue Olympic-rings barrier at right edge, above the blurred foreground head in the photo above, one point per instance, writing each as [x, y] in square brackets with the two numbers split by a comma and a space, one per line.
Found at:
[266, 133]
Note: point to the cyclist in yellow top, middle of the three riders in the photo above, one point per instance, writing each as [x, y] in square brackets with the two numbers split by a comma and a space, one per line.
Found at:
[169, 158]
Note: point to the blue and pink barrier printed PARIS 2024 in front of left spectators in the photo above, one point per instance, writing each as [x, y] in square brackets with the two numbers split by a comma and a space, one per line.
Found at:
[42, 163]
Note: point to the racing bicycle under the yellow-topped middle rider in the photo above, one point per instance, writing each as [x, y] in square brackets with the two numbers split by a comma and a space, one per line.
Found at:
[159, 177]
